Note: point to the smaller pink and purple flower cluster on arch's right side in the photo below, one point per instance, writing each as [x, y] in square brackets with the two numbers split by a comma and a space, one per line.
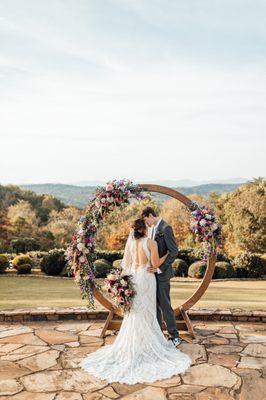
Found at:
[203, 224]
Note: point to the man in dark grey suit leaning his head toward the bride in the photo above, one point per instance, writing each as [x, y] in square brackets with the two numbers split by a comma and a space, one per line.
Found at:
[163, 234]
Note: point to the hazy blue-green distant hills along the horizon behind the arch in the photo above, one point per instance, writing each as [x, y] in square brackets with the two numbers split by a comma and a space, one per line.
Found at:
[80, 195]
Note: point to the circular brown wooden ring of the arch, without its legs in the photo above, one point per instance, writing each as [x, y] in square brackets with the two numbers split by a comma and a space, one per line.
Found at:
[194, 298]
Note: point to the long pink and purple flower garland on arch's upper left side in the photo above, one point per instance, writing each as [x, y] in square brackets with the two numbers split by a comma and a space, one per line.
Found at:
[80, 252]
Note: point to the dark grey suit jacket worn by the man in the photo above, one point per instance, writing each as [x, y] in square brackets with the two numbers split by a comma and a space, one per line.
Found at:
[165, 239]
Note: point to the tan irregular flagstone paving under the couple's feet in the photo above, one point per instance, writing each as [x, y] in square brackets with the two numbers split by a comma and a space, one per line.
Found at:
[39, 361]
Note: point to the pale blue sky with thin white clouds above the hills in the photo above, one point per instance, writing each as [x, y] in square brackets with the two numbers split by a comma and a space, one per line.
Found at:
[145, 90]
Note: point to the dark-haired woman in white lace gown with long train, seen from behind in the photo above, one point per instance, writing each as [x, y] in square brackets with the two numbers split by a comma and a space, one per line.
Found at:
[140, 352]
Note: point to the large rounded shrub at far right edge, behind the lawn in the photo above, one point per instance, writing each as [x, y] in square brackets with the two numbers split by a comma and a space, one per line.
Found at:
[249, 264]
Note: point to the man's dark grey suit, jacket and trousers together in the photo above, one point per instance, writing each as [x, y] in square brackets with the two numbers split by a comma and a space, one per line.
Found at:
[166, 242]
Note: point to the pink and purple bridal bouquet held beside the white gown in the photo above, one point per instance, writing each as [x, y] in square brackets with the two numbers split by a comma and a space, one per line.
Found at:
[120, 288]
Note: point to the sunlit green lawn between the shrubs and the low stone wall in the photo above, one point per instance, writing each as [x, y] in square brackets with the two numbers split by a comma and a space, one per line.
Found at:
[19, 292]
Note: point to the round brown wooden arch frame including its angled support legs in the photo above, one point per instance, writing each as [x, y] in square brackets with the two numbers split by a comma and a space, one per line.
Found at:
[180, 311]
